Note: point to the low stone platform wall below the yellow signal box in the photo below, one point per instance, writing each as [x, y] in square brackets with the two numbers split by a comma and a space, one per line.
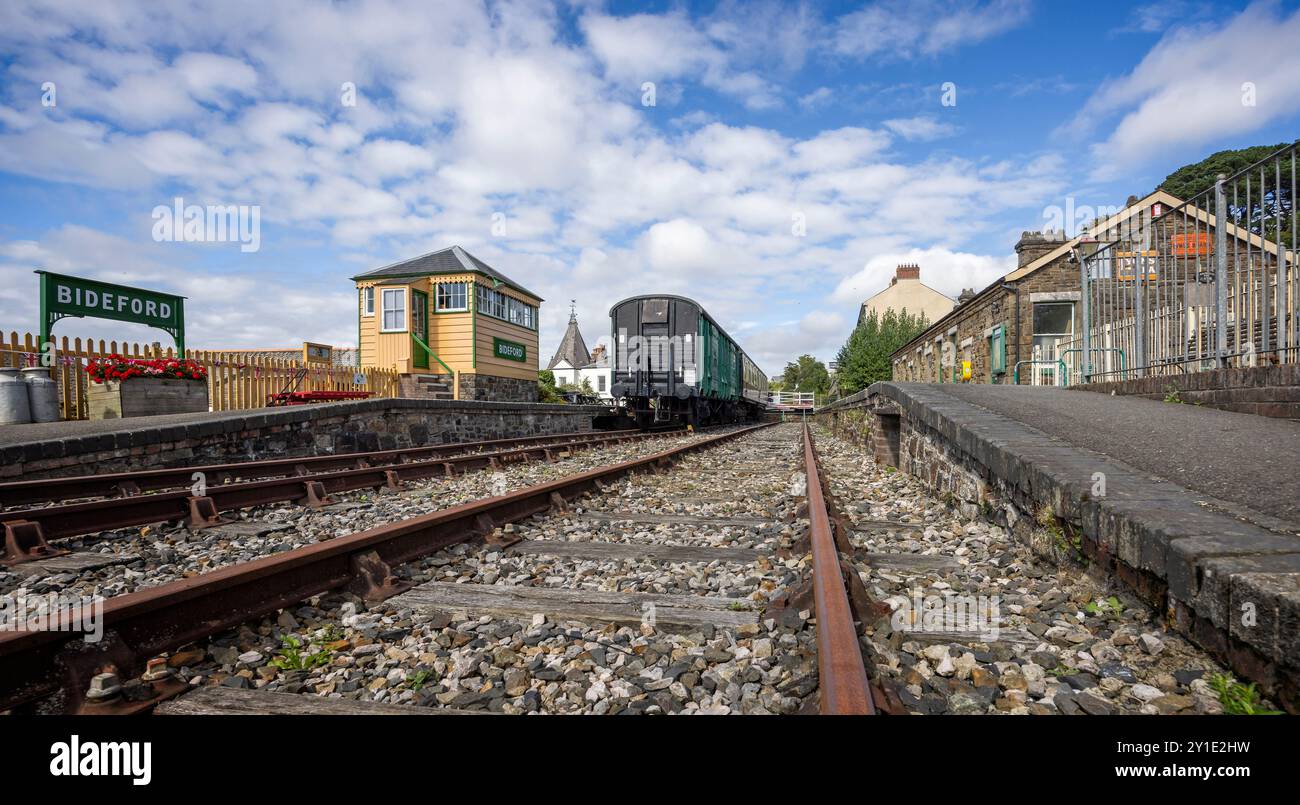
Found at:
[210, 439]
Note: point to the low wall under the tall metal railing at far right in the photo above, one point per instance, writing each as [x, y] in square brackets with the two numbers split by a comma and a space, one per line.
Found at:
[1263, 391]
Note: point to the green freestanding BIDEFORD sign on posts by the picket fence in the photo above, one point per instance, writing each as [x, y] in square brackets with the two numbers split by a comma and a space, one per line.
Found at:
[63, 297]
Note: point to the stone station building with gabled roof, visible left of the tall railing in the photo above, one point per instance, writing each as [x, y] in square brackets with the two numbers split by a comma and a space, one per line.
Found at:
[995, 331]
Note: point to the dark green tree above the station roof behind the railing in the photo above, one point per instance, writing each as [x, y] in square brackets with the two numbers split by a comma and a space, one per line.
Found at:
[1267, 207]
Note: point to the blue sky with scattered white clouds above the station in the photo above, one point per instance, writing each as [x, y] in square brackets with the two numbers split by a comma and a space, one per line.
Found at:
[773, 161]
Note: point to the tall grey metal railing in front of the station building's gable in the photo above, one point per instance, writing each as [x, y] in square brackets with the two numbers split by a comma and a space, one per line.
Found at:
[1210, 284]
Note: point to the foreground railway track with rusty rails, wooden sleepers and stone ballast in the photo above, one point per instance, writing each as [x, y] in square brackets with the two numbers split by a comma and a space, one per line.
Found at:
[623, 588]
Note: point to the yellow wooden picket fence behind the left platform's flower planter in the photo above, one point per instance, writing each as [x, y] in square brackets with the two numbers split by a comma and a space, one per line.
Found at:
[236, 382]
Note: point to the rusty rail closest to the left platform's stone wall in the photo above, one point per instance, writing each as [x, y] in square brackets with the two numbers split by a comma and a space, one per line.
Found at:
[15, 494]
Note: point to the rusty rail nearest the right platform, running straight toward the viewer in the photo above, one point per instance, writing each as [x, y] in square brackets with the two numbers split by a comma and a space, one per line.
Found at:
[842, 674]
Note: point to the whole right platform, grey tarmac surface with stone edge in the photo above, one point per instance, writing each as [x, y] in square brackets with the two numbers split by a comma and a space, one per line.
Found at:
[1193, 510]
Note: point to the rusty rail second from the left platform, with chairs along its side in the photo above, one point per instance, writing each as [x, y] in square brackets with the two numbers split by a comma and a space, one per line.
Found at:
[28, 531]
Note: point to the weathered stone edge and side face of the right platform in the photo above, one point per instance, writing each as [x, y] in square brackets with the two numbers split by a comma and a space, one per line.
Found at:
[1229, 586]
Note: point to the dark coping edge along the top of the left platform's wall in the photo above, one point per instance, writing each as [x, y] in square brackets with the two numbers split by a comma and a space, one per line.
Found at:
[216, 425]
